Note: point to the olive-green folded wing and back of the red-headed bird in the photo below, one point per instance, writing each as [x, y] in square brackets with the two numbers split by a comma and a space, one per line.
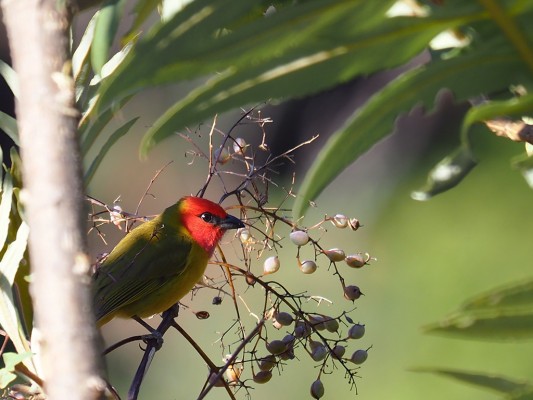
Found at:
[140, 264]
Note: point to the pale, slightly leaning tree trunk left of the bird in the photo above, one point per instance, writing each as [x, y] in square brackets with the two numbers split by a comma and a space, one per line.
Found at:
[53, 197]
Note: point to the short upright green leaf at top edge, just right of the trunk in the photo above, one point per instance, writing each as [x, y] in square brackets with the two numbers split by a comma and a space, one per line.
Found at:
[105, 30]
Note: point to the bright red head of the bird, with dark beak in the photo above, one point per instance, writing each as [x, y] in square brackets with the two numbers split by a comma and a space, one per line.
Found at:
[206, 221]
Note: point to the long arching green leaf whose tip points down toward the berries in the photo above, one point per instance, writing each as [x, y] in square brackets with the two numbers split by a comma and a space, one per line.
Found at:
[376, 118]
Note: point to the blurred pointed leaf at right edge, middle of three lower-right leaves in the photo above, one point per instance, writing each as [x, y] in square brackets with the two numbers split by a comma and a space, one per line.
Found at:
[494, 325]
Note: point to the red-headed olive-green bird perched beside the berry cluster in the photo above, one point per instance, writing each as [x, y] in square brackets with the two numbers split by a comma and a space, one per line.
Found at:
[160, 261]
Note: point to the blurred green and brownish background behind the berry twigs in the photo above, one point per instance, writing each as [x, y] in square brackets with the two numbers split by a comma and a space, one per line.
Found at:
[430, 257]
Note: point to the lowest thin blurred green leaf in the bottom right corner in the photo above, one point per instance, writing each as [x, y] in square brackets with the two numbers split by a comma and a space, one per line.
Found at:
[499, 384]
